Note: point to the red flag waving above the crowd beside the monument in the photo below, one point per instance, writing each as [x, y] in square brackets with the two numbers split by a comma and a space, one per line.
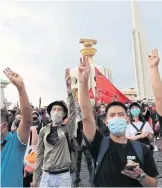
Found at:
[106, 91]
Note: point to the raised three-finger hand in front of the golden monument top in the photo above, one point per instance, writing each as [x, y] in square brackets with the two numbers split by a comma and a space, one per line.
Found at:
[84, 70]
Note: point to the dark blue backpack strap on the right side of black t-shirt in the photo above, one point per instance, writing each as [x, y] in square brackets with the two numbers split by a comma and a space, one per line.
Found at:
[139, 151]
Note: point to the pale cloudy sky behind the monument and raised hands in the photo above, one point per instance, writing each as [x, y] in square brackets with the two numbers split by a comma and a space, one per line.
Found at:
[39, 40]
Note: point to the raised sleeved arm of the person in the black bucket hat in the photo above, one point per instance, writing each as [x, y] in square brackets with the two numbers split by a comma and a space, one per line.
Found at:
[71, 103]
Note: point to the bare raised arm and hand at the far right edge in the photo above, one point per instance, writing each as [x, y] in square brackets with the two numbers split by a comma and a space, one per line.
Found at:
[156, 80]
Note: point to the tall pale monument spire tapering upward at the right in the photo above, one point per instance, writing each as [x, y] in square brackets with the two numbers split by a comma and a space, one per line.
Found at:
[140, 51]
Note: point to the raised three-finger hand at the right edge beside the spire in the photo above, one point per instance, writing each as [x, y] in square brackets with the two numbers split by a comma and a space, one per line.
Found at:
[154, 58]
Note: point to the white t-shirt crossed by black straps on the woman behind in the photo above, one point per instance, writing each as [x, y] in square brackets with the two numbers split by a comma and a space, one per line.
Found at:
[131, 131]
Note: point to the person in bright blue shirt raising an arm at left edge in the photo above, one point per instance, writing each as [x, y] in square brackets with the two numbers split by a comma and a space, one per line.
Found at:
[13, 145]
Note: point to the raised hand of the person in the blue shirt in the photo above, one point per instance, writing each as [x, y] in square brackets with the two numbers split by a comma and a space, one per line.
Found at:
[14, 78]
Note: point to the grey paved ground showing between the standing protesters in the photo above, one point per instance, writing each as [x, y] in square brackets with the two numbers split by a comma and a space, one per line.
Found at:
[157, 156]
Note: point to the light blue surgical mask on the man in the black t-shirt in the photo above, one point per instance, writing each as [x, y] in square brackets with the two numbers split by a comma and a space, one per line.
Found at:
[117, 126]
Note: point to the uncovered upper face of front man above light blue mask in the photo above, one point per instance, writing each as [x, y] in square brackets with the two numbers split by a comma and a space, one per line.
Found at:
[116, 111]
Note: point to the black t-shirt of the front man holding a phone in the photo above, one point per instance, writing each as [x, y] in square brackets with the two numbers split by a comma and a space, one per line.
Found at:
[114, 161]
